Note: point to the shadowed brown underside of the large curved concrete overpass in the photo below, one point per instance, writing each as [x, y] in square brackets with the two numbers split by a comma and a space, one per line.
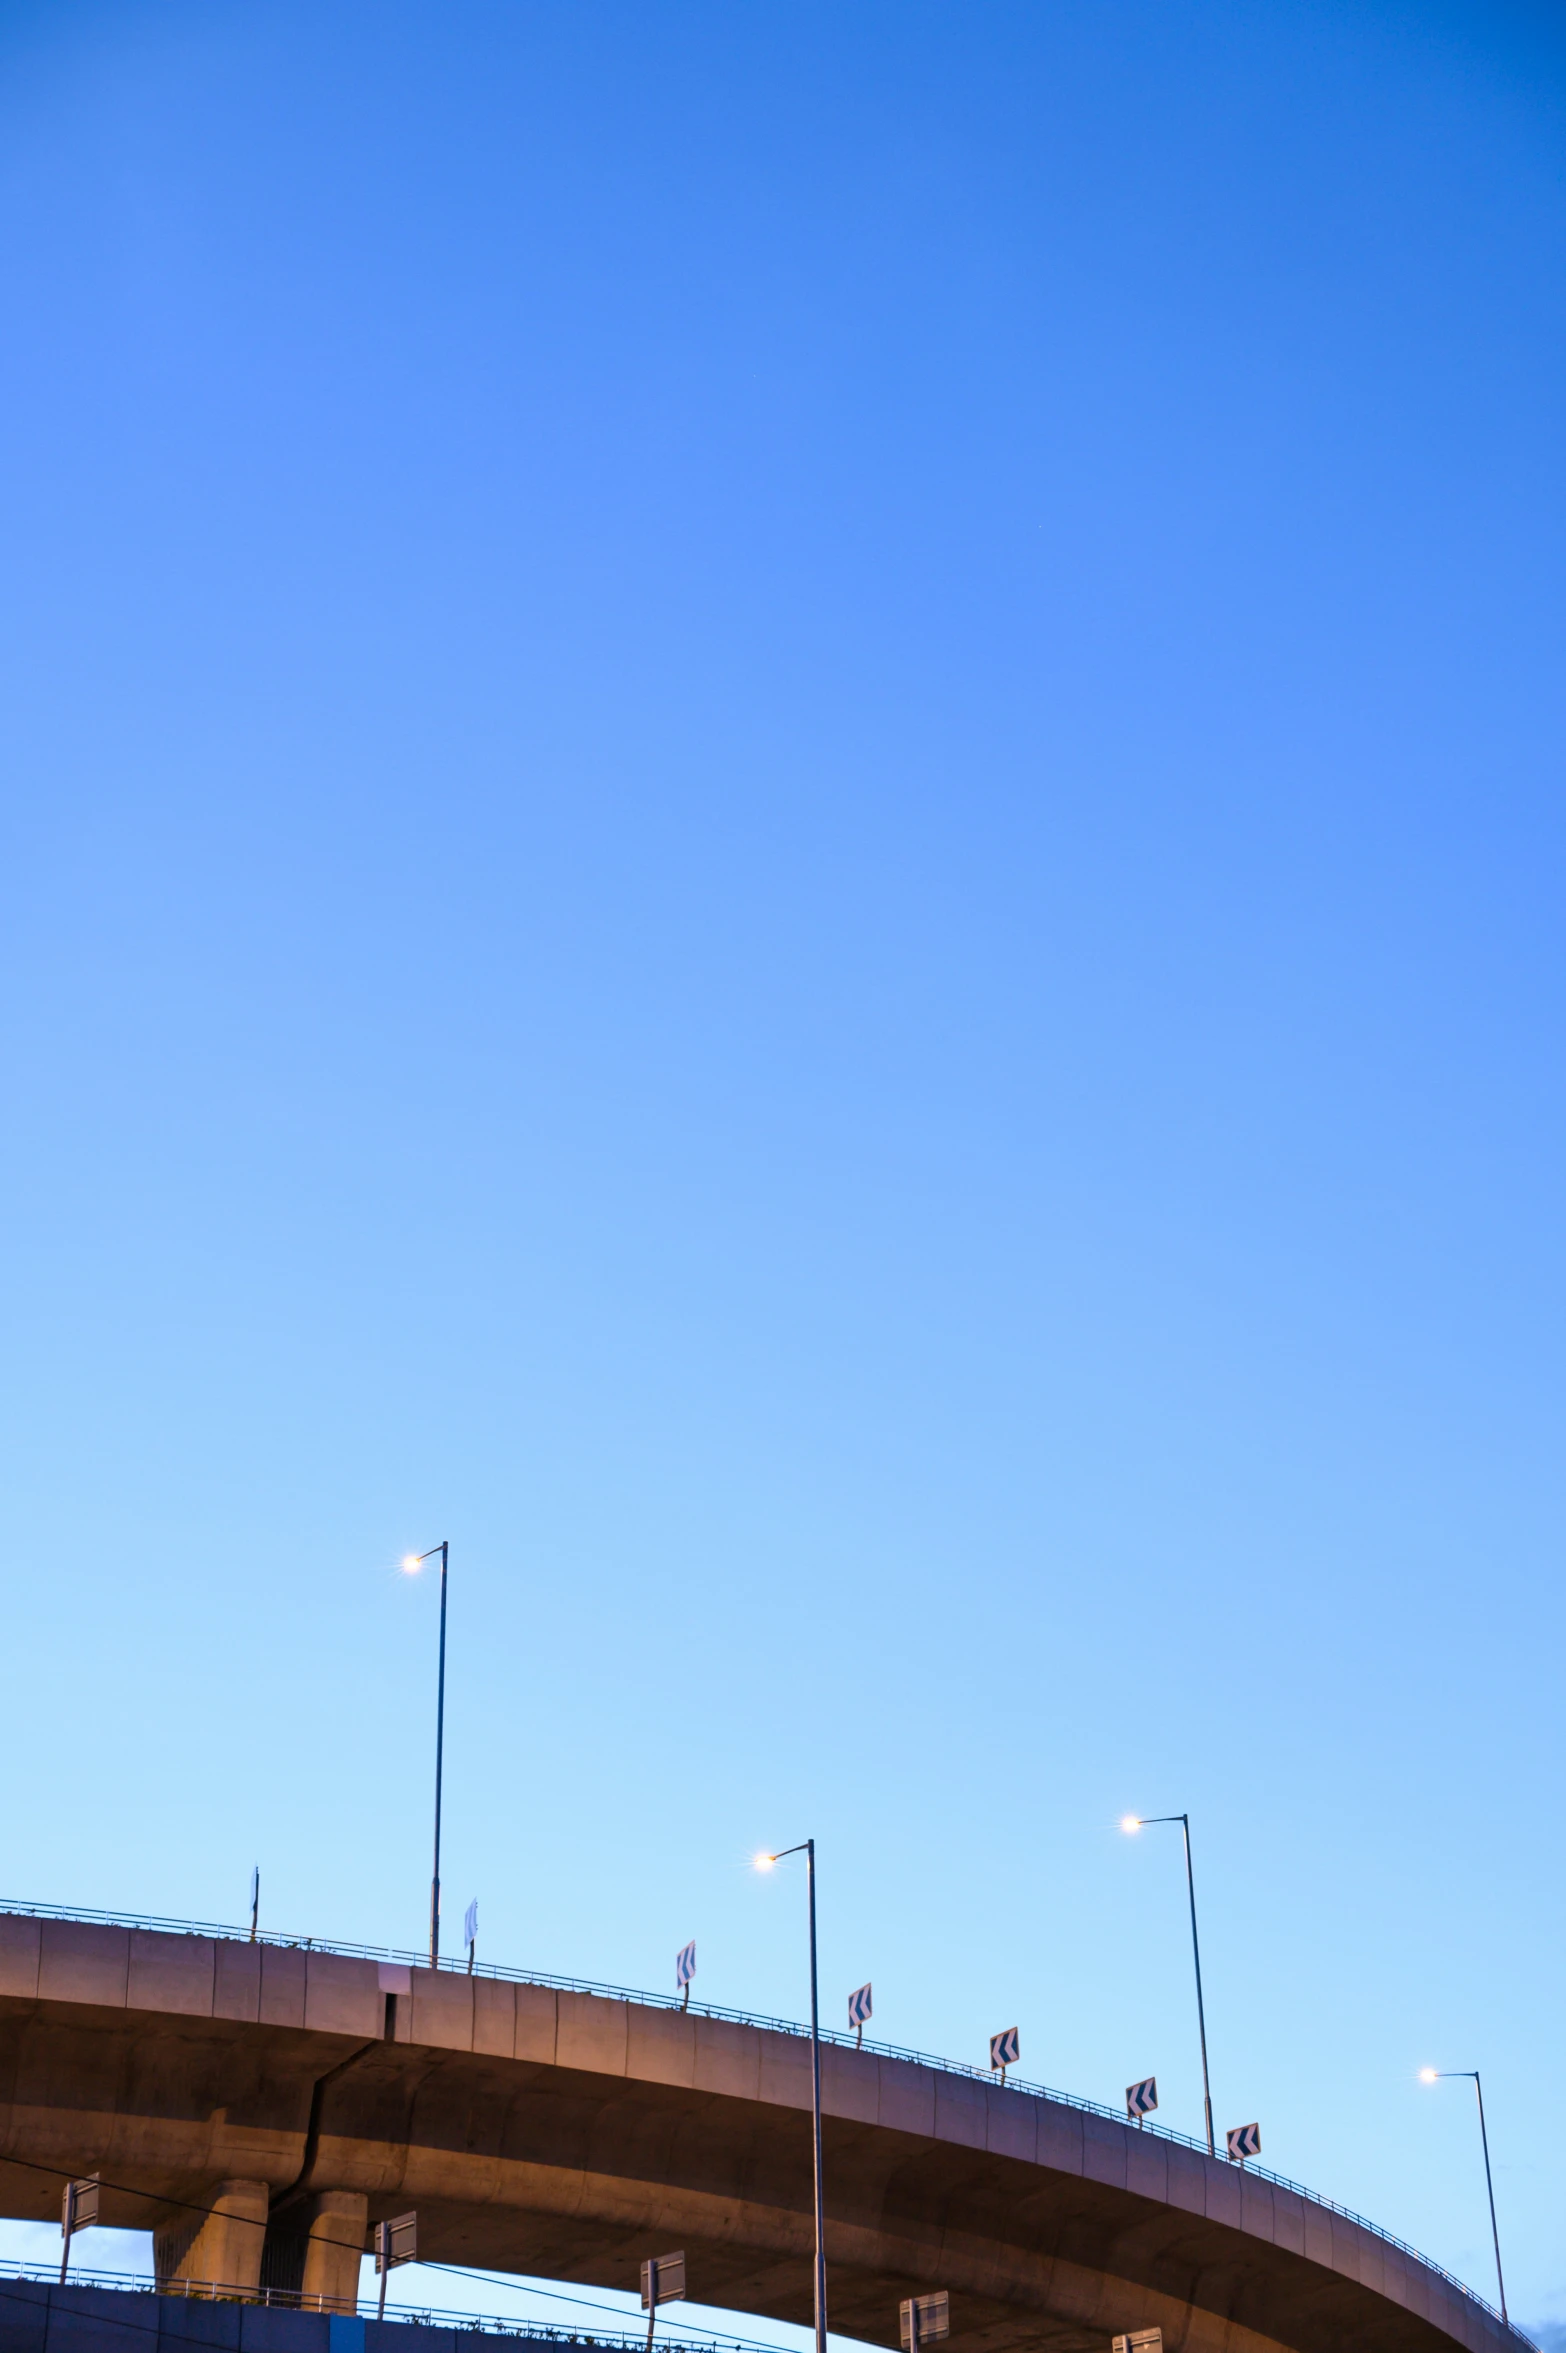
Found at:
[570, 2175]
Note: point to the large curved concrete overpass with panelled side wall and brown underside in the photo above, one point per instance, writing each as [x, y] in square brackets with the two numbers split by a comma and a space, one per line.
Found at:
[260, 2105]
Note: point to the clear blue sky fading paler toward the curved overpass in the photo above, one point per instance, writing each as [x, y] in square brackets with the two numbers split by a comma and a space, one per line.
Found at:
[784, 836]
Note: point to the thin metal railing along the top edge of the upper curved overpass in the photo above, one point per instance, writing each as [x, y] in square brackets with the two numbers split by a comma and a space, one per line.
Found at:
[777, 2027]
